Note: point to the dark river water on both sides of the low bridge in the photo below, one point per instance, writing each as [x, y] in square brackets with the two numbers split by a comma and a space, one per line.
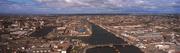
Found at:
[101, 36]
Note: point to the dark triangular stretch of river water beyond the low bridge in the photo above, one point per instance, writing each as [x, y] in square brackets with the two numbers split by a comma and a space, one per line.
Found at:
[101, 36]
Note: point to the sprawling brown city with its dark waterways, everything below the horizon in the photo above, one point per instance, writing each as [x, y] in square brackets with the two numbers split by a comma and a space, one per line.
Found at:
[99, 33]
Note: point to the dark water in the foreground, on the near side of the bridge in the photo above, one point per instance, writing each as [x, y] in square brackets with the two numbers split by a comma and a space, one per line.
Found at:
[115, 49]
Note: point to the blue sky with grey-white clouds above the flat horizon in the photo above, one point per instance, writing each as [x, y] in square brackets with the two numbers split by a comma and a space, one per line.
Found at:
[88, 6]
